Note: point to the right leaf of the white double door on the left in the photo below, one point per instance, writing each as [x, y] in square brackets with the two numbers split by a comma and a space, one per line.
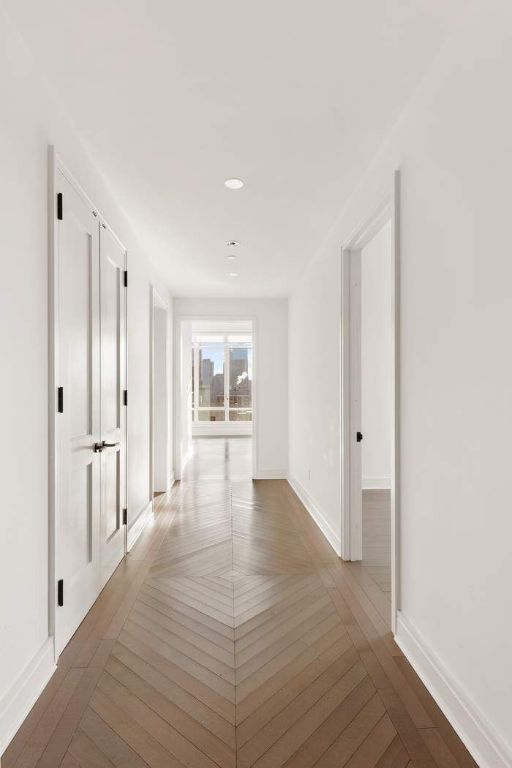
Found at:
[113, 412]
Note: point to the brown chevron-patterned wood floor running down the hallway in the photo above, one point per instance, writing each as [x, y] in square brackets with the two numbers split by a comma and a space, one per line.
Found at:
[233, 637]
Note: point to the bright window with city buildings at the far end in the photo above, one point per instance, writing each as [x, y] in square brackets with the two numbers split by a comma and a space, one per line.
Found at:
[222, 377]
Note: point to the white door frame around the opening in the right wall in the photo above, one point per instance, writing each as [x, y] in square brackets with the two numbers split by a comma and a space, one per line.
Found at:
[351, 521]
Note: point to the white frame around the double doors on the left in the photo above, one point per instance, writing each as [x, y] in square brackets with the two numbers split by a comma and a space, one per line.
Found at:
[55, 165]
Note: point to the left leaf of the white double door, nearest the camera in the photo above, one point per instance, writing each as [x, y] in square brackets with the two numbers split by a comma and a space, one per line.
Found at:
[78, 427]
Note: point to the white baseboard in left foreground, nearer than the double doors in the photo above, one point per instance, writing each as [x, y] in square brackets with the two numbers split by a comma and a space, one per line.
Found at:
[21, 697]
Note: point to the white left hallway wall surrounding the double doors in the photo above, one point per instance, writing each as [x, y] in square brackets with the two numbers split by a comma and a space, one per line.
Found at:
[31, 119]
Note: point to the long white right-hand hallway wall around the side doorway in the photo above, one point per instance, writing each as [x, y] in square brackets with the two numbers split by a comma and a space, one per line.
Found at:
[453, 147]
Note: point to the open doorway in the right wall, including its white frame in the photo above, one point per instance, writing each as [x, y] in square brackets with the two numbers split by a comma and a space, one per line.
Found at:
[370, 406]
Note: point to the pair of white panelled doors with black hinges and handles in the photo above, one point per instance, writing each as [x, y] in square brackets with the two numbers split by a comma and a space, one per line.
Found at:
[90, 354]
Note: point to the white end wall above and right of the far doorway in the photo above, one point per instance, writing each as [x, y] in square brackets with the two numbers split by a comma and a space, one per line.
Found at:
[271, 370]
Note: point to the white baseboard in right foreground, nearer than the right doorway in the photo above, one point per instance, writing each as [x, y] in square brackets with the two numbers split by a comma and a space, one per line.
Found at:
[484, 744]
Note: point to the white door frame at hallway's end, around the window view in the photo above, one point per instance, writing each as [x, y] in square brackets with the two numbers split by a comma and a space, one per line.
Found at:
[179, 395]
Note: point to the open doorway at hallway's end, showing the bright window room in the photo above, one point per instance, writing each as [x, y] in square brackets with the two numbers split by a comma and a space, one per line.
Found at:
[217, 399]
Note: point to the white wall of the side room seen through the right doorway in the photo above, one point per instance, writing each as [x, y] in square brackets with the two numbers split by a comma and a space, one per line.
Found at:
[376, 359]
